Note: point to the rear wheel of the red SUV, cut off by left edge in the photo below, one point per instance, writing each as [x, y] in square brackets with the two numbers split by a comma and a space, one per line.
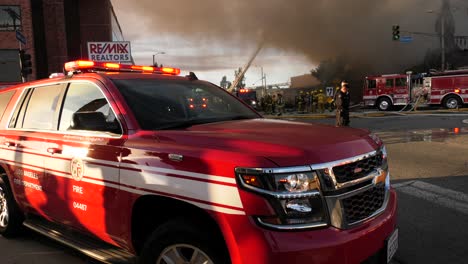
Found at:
[11, 218]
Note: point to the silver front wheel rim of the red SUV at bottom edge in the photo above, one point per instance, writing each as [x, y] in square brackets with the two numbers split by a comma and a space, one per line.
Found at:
[183, 254]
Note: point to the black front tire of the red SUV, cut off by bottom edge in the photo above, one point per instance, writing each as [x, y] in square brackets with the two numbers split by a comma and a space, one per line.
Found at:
[182, 234]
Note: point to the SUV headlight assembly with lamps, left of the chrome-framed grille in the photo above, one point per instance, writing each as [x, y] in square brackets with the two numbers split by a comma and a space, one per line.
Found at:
[295, 197]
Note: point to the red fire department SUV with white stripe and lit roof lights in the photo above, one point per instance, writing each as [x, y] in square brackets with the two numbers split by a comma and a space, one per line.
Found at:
[113, 160]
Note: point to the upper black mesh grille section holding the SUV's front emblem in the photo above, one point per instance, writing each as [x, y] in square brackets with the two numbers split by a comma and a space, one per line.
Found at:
[358, 169]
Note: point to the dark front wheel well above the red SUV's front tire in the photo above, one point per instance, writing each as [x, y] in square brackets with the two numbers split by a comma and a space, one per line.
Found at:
[149, 212]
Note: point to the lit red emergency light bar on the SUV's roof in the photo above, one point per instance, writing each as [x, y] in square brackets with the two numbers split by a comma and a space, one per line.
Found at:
[81, 65]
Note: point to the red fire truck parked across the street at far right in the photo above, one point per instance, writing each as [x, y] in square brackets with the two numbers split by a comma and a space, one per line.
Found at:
[449, 89]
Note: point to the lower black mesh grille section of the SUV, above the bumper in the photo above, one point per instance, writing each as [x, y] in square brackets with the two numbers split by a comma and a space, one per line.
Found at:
[363, 205]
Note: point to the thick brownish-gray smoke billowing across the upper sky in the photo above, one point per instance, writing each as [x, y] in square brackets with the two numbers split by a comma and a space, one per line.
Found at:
[319, 29]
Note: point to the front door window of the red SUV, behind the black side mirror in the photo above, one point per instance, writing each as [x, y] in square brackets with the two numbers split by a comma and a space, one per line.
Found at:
[86, 108]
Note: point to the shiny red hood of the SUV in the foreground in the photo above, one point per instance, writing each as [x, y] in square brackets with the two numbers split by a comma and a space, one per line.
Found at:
[283, 142]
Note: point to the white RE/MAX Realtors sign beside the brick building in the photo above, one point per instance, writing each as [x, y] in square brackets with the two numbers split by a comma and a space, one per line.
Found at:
[116, 51]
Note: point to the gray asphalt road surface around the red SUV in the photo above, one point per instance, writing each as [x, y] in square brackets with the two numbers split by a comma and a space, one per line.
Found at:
[428, 157]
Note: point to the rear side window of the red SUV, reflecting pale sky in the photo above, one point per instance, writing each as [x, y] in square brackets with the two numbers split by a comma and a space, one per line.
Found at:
[38, 108]
